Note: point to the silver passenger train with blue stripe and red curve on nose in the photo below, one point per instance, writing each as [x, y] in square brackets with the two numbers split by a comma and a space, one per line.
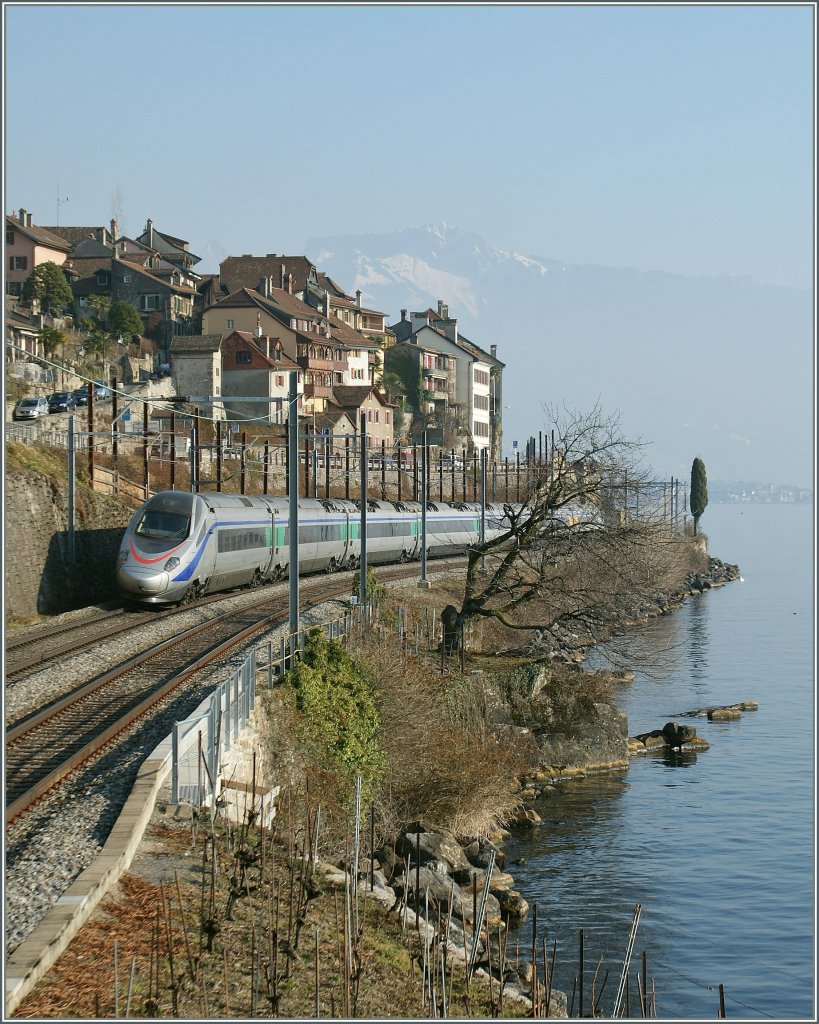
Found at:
[181, 546]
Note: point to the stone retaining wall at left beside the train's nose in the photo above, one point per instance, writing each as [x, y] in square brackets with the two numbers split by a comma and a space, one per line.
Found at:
[39, 579]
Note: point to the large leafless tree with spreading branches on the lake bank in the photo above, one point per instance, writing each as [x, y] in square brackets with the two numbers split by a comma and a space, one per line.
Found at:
[580, 548]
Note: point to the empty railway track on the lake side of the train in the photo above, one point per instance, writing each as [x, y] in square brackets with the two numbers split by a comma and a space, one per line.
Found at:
[47, 747]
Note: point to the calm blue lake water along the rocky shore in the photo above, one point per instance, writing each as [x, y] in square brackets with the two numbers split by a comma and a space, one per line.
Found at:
[717, 848]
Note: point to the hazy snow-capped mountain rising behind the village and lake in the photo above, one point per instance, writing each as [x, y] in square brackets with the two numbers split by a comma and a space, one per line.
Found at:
[718, 368]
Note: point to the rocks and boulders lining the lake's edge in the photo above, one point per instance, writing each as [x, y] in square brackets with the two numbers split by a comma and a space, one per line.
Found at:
[432, 879]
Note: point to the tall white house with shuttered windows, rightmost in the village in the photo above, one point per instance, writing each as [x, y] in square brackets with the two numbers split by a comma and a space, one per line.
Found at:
[472, 397]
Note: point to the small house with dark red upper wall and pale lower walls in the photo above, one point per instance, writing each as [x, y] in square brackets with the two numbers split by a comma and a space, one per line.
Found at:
[255, 366]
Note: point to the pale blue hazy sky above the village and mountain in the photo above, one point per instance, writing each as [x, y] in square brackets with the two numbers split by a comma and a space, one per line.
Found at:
[660, 138]
